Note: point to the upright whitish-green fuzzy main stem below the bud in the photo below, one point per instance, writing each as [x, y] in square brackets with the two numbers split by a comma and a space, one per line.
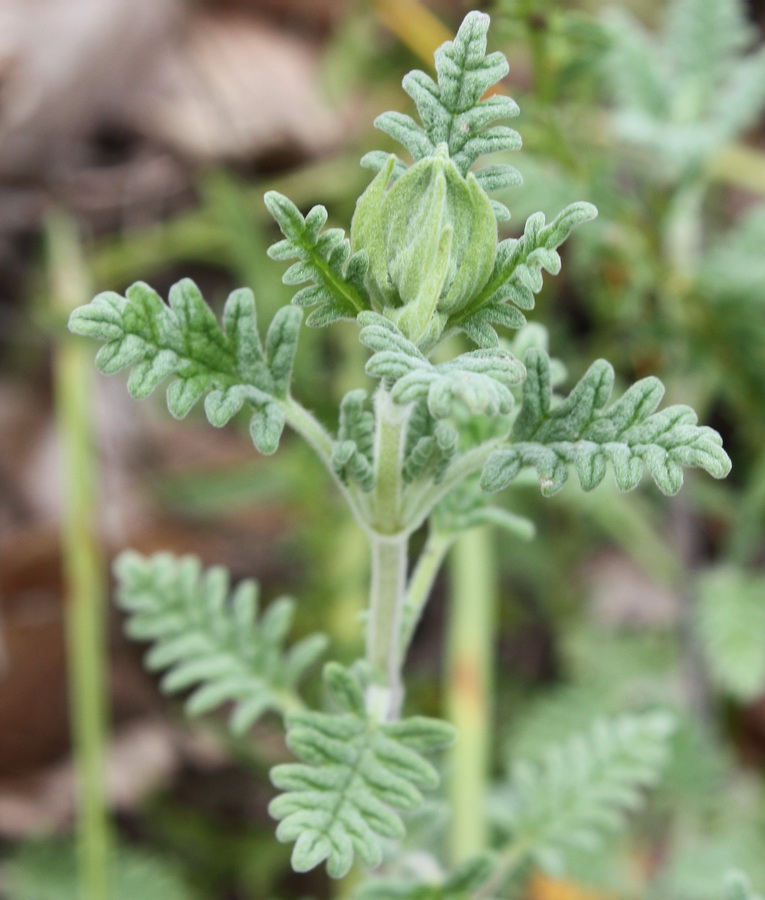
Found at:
[389, 555]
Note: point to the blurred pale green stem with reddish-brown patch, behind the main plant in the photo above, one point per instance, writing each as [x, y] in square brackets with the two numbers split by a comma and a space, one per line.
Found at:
[470, 664]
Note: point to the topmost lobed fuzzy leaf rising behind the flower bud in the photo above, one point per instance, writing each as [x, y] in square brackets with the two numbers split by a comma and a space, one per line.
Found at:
[453, 112]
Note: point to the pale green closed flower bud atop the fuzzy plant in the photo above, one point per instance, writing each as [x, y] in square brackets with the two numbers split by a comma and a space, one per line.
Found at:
[431, 240]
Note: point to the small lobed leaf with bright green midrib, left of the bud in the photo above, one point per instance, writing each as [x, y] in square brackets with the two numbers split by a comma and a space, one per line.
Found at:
[336, 277]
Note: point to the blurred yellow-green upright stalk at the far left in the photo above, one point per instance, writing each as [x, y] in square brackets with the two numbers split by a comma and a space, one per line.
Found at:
[83, 571]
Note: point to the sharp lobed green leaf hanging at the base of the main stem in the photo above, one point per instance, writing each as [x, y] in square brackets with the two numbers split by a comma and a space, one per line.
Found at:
[356, 776]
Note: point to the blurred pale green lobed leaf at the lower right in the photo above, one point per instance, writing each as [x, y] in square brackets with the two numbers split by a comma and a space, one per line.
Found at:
[581, 789]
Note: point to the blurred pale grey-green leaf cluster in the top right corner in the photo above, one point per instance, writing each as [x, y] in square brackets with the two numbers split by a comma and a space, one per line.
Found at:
[685, 92]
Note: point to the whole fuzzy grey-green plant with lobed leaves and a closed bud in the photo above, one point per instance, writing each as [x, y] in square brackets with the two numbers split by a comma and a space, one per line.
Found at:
[422, 265]
